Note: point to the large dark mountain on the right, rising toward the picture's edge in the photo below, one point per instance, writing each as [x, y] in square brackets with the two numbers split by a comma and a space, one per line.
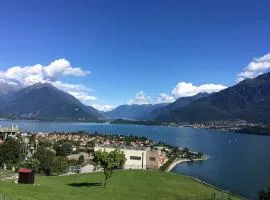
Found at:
[248, 100]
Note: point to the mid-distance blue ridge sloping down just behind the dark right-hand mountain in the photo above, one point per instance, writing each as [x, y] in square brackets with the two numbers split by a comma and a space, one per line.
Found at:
[165, 111]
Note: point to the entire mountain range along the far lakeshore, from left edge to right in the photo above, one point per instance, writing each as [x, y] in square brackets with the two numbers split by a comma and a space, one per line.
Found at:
[248, 100]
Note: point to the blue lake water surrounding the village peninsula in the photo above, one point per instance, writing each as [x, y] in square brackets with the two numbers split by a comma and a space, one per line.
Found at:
[239, 163]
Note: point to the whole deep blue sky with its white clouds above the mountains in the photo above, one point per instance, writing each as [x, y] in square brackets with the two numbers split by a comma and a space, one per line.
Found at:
[108, 53]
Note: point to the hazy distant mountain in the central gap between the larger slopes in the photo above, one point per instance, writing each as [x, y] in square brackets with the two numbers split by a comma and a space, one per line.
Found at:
[134, 111]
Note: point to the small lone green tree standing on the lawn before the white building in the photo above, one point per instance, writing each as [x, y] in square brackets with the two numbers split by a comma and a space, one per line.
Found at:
[109, 161]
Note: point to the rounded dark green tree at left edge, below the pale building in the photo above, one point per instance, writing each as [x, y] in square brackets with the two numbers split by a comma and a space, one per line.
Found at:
[10, 151]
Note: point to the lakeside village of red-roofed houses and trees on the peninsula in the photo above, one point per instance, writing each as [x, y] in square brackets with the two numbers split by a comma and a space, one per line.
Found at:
[76, 149]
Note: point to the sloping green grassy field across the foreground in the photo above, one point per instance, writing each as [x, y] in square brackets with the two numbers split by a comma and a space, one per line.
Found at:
[123, 185]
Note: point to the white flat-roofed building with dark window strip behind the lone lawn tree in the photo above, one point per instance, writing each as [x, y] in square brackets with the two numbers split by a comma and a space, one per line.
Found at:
[135, 158]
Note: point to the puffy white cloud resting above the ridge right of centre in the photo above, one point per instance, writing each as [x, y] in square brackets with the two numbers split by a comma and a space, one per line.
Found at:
[184, 89]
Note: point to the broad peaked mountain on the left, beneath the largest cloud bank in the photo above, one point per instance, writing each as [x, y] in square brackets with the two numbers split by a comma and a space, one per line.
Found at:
[44, 101]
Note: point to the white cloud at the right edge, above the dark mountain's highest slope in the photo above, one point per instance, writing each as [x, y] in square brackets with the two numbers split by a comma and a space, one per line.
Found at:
[255, 68]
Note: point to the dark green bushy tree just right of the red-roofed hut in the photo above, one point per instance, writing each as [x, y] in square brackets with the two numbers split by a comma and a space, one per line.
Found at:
[45, 157]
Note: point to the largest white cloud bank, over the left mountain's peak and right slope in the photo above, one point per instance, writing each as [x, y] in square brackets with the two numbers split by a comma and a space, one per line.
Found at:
[28, 75]
